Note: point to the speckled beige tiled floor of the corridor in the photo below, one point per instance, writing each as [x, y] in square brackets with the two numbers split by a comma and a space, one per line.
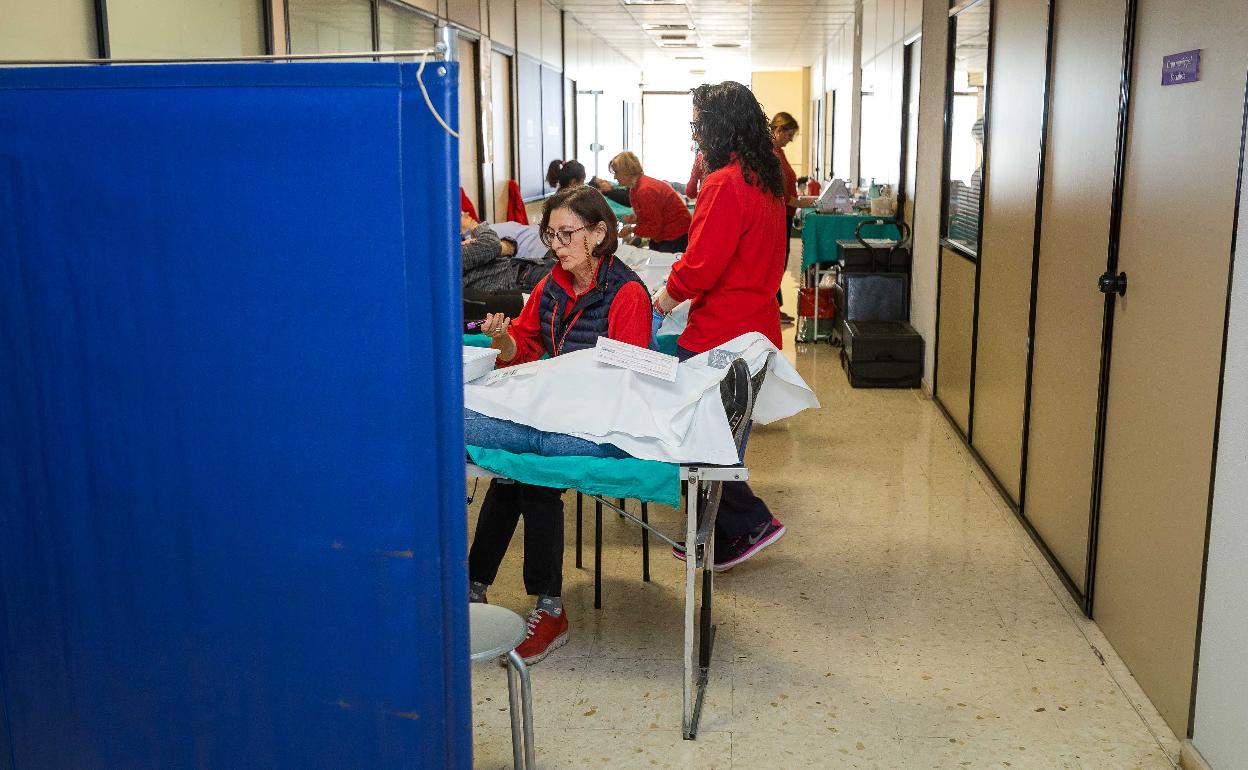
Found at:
[905, 621]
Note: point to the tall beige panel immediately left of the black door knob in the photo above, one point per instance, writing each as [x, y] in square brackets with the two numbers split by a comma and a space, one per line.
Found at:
[1075, 240]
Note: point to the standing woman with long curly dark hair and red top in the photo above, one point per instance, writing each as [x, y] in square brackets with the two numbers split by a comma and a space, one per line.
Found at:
[732, 271]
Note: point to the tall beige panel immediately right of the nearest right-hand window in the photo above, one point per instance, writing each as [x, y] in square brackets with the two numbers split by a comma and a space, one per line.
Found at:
[1016, 82]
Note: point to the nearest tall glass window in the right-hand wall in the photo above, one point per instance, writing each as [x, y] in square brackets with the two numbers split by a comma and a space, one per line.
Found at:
[967, 118]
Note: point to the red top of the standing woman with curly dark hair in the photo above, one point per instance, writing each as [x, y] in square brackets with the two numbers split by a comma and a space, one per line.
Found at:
[734, 263]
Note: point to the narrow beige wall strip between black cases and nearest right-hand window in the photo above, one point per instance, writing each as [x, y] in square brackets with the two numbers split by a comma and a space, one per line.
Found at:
[929, 180]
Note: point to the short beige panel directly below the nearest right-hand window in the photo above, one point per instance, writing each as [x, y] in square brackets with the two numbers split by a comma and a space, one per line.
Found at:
[957, 325]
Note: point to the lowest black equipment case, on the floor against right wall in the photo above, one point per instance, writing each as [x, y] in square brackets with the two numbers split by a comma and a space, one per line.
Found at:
[883, 355]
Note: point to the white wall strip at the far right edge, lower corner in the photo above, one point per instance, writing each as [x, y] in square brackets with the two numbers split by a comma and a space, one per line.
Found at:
[1221, 724]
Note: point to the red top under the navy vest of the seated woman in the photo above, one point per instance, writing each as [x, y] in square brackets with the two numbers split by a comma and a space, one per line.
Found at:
[628, 319]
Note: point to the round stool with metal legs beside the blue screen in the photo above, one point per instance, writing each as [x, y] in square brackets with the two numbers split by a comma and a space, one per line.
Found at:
[494, 633]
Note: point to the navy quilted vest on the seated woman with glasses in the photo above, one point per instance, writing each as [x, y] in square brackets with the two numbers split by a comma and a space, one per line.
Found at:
[588, 319]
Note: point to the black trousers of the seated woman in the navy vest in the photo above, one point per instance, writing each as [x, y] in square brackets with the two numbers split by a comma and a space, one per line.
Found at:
[542, 509]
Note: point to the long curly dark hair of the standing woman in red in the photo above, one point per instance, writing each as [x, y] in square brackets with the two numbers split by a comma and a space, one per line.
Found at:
[733, 125]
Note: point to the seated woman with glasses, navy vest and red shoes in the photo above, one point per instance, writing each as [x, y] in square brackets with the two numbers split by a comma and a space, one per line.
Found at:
[588, 295]
